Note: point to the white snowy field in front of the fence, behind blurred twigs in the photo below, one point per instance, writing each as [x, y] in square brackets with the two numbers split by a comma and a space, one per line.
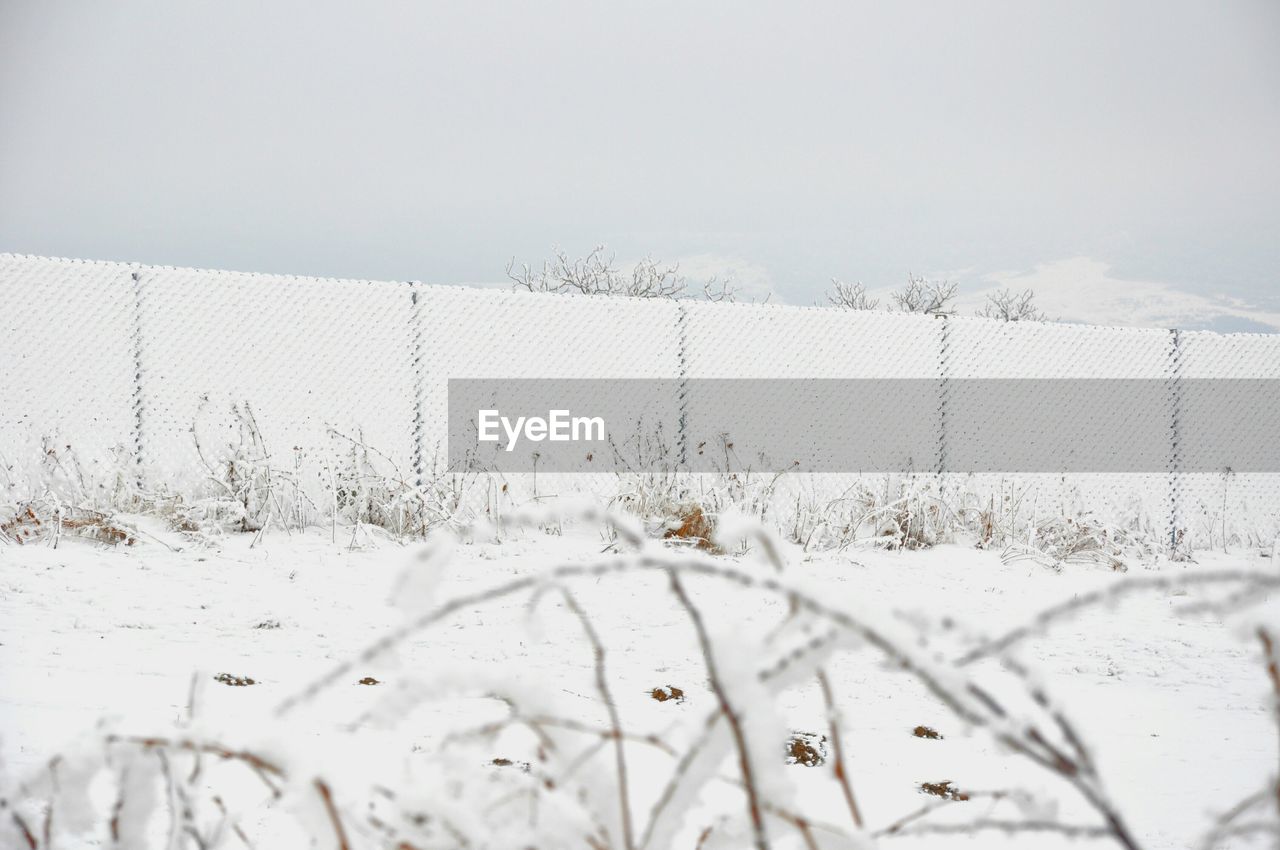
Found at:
[1172, 701]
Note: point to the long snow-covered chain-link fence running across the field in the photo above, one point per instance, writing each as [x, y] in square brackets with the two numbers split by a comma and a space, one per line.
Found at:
[124, 376]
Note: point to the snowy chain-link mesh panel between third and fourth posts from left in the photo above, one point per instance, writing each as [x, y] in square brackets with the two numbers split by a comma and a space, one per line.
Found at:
[790, 342]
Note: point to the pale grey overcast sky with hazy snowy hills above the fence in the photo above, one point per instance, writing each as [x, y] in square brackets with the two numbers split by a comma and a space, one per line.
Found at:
[1121, 157]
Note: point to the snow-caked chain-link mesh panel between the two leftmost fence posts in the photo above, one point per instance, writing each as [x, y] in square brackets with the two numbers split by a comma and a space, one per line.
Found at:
[309, 364]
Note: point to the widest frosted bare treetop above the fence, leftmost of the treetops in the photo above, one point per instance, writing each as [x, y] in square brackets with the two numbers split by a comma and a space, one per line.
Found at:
[598, 275]
